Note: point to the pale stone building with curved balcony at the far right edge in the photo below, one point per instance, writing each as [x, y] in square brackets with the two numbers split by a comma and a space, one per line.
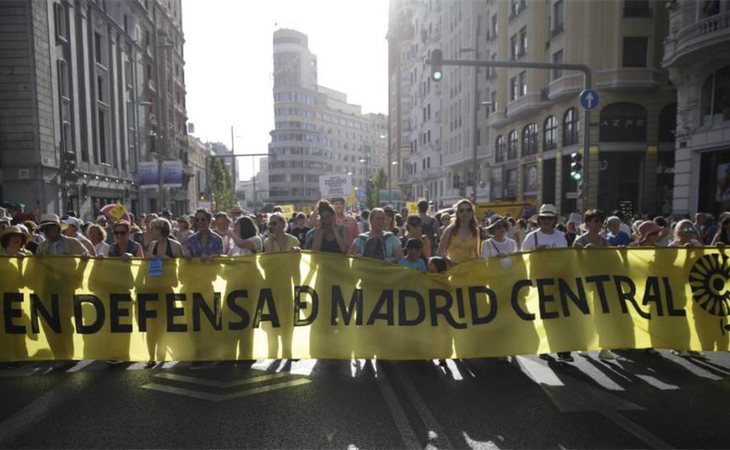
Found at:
[697, 54]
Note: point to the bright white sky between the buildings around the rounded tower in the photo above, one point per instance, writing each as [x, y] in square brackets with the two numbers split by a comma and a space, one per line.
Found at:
[229, 54]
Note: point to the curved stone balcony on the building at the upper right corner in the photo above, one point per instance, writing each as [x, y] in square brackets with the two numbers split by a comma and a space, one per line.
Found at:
[705, 34]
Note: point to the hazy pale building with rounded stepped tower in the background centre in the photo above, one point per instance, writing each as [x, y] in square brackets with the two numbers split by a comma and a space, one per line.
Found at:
[317, 132]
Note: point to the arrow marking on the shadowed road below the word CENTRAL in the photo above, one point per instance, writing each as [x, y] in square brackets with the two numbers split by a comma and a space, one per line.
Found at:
[575, 396]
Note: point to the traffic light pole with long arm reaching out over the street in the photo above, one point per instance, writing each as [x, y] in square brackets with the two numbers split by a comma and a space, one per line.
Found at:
[437, 75]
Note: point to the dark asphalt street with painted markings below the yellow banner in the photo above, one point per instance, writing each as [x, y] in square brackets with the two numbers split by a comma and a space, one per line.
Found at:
[635, 401]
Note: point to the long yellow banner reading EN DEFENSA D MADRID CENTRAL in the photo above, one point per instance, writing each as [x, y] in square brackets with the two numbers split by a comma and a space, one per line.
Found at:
[305, 305]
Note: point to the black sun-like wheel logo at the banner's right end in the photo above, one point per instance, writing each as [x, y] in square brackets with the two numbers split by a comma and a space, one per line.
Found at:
[710, 282]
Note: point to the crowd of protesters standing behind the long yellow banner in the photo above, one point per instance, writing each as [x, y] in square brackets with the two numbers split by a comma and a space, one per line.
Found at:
[425, 242]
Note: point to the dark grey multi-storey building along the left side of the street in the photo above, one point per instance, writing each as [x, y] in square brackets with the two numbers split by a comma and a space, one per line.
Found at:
[90, 89]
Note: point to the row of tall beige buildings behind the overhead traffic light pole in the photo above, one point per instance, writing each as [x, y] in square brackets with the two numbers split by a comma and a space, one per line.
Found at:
[509, 134]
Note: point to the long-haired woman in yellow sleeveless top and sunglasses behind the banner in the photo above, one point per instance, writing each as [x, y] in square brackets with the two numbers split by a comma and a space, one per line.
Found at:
[460, 241]
